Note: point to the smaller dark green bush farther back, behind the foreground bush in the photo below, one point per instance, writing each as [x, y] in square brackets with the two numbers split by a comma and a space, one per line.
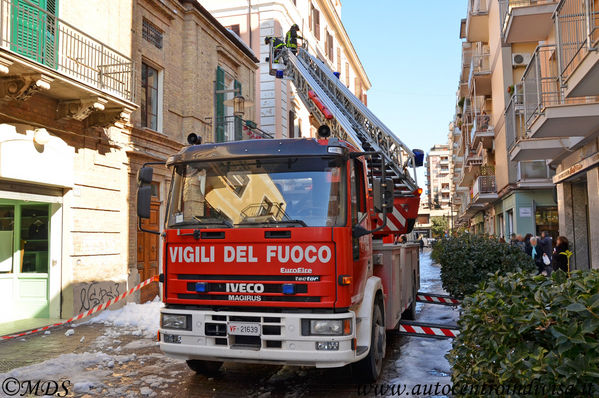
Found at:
[467, 260]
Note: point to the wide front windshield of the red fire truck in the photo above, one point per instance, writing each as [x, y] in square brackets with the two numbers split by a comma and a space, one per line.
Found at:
[240, 193]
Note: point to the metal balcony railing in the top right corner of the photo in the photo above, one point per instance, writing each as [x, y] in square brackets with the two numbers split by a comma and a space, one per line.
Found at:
[578, 32]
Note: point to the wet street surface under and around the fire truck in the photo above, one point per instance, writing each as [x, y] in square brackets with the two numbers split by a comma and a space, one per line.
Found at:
[138, 367]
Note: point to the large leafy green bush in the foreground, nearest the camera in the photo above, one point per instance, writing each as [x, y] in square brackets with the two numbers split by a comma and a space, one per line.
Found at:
[518, 329]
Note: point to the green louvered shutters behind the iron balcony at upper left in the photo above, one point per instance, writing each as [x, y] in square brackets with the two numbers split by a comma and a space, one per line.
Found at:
[34, 29]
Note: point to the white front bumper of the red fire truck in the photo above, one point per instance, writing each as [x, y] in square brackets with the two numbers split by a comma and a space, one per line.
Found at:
[280, 341]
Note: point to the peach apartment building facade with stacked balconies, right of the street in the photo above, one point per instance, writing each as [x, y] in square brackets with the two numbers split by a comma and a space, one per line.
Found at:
[538, 65]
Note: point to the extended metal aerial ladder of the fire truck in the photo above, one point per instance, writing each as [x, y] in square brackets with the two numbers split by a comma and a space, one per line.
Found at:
[334, 105]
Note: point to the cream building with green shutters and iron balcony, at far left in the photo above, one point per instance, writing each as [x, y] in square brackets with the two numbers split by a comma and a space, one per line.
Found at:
[66, 97]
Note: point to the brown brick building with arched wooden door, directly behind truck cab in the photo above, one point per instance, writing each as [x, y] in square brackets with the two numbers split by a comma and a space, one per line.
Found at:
[196, 76]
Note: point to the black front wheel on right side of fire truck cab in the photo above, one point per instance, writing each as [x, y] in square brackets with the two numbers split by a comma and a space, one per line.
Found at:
[370, 368]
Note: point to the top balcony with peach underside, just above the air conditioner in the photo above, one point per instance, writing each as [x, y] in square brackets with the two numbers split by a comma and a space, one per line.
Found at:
[526, 20]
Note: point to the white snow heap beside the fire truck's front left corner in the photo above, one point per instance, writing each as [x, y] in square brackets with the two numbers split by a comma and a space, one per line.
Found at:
[144, 318]
